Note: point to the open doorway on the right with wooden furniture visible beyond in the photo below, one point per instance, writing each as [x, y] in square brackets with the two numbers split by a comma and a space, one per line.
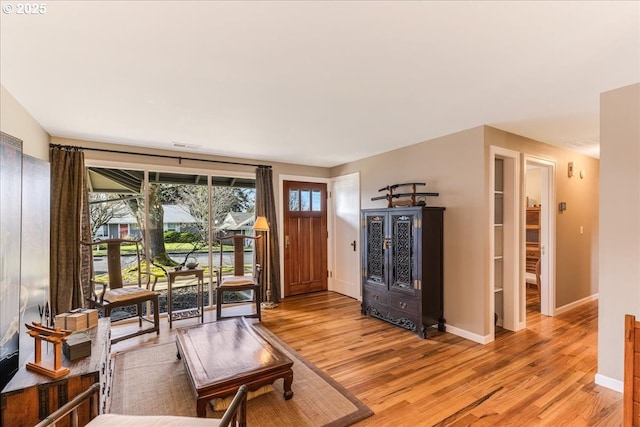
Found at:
[540, 196]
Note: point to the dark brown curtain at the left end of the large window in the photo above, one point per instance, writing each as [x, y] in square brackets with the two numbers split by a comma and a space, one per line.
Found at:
[67, 199]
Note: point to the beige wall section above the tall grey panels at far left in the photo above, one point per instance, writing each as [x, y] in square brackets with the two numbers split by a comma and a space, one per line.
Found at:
[17, 122]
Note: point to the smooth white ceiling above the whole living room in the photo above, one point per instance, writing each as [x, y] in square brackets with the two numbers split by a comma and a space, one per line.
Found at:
[317, 82]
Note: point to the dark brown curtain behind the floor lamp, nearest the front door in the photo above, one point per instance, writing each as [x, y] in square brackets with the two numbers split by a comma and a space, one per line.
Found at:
[266, 206]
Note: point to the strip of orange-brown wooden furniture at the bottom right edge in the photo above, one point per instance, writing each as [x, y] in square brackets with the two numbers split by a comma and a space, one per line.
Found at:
[631, 395]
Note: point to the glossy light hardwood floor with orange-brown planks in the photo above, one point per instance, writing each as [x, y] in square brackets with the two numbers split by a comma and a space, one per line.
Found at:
[541, 376]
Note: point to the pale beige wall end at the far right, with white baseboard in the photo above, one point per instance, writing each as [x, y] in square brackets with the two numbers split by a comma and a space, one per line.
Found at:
[619, 225]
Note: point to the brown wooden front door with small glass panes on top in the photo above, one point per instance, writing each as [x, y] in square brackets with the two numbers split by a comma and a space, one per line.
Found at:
[305, 237]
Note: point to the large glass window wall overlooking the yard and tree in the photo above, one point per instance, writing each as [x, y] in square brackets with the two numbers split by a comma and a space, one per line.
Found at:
[177, 216]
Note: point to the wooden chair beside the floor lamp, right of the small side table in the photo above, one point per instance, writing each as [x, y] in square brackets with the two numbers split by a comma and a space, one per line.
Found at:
[239, 281]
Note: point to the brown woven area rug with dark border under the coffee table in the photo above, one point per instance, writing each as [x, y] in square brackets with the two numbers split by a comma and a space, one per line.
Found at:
[152, 381]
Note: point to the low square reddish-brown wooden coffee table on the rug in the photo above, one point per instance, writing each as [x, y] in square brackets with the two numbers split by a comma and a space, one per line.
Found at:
[221, 356]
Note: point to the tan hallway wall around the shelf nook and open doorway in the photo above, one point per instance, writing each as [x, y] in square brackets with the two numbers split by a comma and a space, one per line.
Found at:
[577, 263]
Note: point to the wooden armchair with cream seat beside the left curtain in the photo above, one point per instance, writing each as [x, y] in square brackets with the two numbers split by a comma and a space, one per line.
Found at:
[115, 293]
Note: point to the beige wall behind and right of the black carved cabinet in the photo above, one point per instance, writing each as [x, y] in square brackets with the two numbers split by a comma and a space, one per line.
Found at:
[451, 166]
